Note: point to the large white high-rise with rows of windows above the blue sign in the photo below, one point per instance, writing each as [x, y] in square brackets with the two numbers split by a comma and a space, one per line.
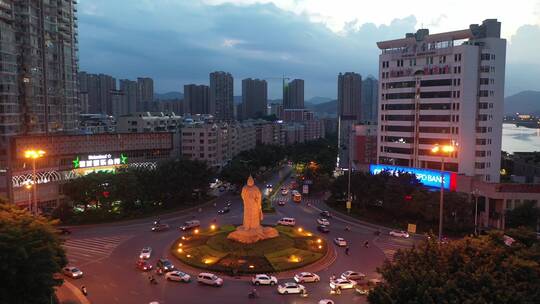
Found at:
[445, 89]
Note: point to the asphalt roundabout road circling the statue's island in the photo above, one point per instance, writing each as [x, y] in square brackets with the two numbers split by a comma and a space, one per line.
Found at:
[107, 254]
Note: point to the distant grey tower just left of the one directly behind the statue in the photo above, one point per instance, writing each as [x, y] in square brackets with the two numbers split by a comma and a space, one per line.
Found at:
[221, 96]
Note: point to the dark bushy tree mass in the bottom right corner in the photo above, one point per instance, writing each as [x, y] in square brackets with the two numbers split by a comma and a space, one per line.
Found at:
[470, 270]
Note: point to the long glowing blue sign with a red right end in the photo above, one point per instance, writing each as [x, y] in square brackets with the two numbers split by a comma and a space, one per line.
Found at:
[428, 177]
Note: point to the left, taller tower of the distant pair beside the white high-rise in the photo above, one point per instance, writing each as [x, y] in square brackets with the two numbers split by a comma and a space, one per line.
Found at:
[349, 96]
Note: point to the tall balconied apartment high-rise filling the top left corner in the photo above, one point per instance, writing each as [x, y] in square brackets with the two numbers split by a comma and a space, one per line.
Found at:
[38, 42]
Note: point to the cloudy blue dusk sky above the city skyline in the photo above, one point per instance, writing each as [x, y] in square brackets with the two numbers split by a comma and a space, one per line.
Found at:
[177, 42]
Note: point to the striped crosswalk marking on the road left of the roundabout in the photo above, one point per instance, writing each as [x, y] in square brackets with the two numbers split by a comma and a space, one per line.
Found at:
[91, 249]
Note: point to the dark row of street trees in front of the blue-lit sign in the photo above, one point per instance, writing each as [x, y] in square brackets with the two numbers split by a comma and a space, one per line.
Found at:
[401, 199]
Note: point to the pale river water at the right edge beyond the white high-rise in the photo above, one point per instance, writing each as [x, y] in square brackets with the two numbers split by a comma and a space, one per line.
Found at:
[520, 139]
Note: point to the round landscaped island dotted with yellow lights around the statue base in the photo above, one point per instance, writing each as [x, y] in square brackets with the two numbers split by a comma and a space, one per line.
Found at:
[210, 249]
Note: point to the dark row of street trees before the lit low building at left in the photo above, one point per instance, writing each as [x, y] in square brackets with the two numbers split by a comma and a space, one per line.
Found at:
[133, 191]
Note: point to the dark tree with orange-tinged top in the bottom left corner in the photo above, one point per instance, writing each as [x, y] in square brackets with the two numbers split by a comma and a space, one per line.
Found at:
[31, 254]
